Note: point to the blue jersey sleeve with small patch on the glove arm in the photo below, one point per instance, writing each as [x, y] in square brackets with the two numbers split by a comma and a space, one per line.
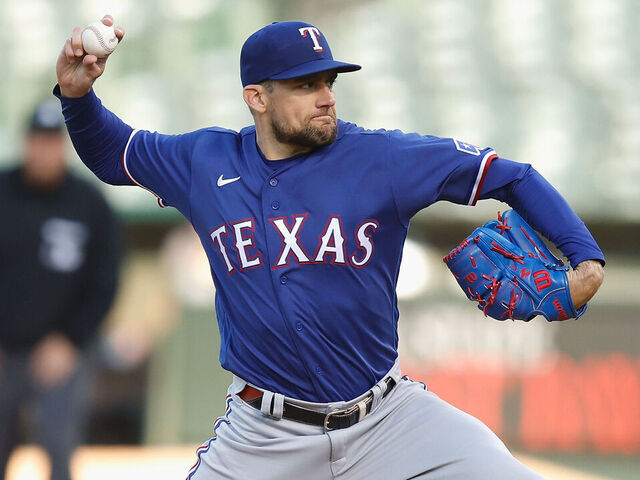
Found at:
[426, 169]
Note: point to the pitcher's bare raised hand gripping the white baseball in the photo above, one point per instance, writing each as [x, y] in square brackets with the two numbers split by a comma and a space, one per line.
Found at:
[76, 69]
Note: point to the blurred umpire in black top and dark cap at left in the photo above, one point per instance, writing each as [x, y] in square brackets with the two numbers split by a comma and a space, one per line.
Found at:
[59, 256]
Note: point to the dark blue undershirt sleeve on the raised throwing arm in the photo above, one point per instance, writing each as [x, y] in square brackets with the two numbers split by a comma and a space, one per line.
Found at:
[98, 136]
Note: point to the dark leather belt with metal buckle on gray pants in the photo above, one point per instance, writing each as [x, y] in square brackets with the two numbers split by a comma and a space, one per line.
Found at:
[330, 421]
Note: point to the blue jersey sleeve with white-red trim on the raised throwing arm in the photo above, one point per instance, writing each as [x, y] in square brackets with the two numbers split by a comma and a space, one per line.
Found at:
[161, 164]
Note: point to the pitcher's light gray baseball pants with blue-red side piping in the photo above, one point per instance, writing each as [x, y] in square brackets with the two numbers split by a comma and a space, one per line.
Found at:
[410, 433]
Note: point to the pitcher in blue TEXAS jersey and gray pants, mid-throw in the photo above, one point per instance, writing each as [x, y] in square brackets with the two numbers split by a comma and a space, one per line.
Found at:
[303, 219]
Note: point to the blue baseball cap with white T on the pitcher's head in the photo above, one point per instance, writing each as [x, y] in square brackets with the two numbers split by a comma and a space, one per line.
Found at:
[287, 50]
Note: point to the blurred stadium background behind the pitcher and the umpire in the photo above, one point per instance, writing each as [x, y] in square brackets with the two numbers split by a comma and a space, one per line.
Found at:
[554, 84]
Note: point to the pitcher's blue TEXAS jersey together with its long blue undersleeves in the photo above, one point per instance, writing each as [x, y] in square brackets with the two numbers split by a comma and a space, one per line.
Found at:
[305, 252]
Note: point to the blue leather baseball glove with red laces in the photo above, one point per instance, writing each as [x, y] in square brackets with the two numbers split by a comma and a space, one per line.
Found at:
[509, 271]
